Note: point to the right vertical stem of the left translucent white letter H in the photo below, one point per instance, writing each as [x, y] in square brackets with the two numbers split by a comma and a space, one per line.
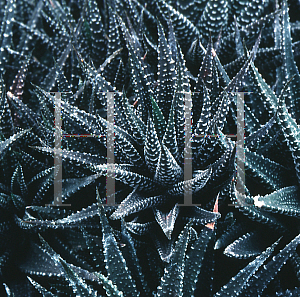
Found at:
[110, 139]
